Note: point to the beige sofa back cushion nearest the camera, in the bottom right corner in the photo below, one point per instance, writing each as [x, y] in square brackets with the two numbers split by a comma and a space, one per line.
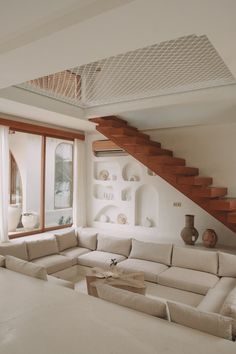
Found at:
[208, 322]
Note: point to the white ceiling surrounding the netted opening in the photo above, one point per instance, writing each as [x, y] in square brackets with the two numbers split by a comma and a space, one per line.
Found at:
[41, 37]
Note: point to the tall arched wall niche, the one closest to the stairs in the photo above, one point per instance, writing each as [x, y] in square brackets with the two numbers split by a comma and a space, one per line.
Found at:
[146, 206]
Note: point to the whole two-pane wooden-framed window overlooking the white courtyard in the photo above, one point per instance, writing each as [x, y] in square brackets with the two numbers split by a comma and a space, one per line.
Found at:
[40, 183]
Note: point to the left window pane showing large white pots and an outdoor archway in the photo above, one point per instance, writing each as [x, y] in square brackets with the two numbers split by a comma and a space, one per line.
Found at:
[24, 182]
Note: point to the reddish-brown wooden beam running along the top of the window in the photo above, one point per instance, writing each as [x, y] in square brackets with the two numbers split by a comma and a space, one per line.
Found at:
[41, 130]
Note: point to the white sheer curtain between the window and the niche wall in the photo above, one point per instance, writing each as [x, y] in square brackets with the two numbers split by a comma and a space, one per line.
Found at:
[79, 184]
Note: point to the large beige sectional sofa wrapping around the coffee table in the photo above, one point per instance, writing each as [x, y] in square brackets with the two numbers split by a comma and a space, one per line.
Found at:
[209, 274]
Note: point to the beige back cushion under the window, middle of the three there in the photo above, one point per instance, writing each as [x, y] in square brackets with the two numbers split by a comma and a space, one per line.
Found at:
[41, 248]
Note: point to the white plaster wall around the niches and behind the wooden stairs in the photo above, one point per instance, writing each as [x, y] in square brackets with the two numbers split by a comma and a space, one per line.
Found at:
[211, 148]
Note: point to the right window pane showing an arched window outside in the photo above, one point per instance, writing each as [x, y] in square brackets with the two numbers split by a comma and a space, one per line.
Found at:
[59, 182]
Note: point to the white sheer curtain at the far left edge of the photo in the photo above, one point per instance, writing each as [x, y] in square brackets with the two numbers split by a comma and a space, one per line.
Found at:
[4, 182]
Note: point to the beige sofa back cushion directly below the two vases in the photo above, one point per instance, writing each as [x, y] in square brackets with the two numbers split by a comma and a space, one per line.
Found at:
[205, 261]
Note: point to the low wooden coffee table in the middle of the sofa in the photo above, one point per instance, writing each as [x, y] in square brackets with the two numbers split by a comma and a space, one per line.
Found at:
[129, 281]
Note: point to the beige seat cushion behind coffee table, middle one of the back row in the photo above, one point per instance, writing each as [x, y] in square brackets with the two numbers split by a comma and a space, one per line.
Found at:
[150, 269]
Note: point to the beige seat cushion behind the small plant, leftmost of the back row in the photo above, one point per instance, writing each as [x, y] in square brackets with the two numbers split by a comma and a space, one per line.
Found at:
[98, 259]
